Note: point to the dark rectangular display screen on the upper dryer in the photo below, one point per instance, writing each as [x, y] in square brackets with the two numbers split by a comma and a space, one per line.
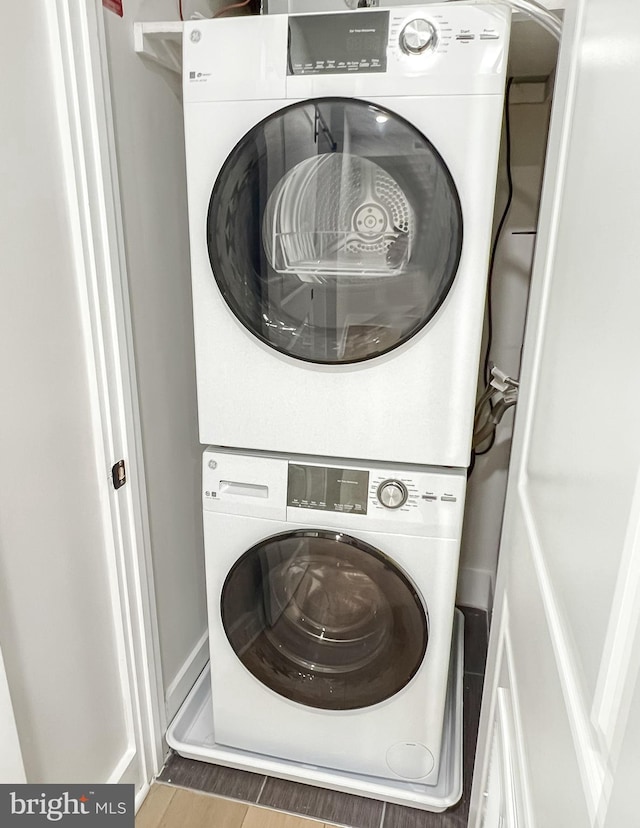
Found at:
[338, 43]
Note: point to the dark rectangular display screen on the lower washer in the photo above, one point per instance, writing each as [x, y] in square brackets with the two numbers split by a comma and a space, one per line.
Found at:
[328, 489]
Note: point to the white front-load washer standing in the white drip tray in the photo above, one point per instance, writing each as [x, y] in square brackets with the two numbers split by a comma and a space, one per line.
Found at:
[330, 613]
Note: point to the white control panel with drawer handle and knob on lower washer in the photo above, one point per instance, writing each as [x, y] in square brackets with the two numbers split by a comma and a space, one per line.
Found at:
[345, 494]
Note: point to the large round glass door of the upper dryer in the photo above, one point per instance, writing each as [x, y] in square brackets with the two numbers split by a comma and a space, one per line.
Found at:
[334, 231]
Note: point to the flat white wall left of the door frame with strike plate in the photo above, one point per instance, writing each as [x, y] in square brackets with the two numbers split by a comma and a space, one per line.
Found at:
[58, 625]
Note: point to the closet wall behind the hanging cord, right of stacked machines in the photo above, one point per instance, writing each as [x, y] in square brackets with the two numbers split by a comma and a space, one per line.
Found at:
[487, 484]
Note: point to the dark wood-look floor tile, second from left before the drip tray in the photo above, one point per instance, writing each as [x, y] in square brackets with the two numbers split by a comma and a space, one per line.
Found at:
[332, 806]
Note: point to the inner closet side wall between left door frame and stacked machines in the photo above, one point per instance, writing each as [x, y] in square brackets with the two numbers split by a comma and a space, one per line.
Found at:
[148, 125]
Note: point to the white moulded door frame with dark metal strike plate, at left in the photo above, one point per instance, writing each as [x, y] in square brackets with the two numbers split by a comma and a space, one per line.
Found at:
[86, 125]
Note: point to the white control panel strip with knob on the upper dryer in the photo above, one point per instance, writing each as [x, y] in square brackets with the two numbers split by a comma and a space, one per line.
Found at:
[437, 49]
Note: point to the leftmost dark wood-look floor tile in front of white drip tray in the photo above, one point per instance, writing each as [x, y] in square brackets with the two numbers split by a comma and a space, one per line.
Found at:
[213, 779]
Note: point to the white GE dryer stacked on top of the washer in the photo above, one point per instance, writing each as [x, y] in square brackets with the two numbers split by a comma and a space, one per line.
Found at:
[341, 173]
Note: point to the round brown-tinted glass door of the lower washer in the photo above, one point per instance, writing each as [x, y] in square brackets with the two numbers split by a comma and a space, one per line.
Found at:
[324, 619]
